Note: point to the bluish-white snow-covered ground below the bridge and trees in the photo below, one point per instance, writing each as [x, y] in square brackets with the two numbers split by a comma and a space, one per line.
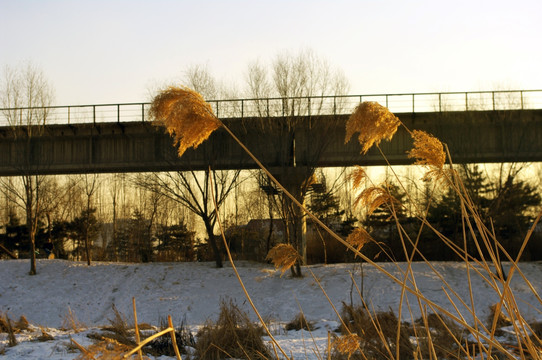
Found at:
[193, 292]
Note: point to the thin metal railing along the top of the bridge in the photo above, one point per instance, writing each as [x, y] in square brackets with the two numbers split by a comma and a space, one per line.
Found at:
[277, 107]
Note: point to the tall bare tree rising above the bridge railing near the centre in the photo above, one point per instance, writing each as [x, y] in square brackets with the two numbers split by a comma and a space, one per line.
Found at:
[294, 78]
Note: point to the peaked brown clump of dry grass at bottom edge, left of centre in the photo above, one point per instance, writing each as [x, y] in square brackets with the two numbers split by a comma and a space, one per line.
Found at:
[232, 336]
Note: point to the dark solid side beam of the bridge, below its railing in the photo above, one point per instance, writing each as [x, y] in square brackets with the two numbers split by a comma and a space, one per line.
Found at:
[476, 137]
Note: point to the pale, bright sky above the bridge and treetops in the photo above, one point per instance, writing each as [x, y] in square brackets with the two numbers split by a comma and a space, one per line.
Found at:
[109, 51]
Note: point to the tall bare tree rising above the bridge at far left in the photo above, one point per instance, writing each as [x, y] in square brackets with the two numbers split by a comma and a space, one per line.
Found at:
[25, 93]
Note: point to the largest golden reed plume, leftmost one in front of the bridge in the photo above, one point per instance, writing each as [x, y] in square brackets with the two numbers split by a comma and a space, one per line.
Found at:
[186, 116]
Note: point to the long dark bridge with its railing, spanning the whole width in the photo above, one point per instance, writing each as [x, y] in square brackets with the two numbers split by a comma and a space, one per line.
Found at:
[490, 126]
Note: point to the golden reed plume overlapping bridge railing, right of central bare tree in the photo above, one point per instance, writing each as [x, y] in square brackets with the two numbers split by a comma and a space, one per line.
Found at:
[374, 123]
